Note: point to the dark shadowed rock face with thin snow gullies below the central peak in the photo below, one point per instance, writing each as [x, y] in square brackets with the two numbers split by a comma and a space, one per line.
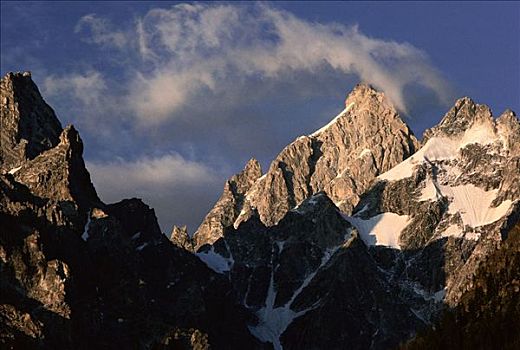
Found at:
[312, 281]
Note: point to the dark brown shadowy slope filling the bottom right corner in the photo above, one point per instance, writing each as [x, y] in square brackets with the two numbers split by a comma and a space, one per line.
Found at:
[487, 315]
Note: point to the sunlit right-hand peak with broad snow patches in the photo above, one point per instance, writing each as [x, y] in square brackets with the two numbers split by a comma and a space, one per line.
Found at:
[458, 189]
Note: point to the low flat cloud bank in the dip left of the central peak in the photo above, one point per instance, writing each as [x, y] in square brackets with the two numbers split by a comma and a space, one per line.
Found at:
[180, 190]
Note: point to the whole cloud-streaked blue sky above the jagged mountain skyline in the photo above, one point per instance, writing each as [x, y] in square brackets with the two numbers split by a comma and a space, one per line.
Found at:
[170, 101]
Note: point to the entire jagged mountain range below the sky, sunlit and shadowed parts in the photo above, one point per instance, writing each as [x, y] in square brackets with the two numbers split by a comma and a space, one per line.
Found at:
[358, 236]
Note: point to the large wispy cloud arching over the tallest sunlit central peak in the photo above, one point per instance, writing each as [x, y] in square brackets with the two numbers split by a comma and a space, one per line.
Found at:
[192, 51]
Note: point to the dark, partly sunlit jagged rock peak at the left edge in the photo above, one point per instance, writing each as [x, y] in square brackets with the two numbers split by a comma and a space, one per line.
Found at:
[40, 155]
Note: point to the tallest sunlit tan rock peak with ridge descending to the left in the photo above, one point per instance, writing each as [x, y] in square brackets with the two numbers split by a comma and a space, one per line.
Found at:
[366, 139]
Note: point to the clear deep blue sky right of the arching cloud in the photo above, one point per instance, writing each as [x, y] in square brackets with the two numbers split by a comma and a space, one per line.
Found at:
[475, 44]
